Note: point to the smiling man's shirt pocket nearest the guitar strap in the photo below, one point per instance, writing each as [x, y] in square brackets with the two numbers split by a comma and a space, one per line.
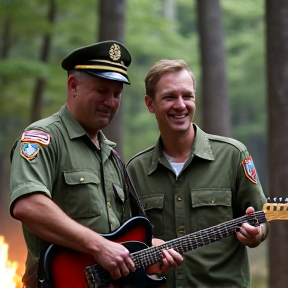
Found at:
[153, 206]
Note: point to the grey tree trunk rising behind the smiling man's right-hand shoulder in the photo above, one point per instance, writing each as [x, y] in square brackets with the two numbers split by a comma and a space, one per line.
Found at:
[214, 94]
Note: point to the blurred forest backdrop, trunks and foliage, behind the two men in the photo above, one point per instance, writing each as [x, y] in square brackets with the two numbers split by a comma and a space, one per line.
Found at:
[223, 41]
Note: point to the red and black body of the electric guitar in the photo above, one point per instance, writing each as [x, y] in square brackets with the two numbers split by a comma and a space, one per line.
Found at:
[64, 268]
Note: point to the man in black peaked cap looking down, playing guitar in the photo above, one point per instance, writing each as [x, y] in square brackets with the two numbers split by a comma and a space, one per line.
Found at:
[68, 185]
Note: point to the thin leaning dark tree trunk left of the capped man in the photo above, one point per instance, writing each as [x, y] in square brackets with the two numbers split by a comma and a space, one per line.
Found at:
[41, 81]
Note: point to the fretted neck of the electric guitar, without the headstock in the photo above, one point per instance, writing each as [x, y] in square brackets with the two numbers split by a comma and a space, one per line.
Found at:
[151, 255]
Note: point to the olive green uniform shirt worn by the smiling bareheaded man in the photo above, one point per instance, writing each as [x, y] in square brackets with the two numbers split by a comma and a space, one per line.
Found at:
[211, 188]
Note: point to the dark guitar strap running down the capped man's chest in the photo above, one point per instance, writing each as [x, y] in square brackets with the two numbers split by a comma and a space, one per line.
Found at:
[137, 208]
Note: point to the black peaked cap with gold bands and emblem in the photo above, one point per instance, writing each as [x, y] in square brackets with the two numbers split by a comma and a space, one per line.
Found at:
[107, 59]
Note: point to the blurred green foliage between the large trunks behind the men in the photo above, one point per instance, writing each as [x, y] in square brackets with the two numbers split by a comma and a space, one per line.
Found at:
[153, 30]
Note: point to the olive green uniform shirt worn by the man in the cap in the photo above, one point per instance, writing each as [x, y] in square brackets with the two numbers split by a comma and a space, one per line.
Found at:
[85, 182]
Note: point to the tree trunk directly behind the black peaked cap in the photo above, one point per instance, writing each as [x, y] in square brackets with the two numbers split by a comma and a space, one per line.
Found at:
[112, 27]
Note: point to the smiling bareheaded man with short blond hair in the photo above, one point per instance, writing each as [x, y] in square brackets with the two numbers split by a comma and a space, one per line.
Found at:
[190, 181]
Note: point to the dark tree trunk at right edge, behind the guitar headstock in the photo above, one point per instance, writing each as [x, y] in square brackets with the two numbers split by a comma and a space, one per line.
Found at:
[277, 76]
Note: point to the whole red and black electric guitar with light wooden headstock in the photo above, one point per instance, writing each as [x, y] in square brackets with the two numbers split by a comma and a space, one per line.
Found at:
[65, 268]
